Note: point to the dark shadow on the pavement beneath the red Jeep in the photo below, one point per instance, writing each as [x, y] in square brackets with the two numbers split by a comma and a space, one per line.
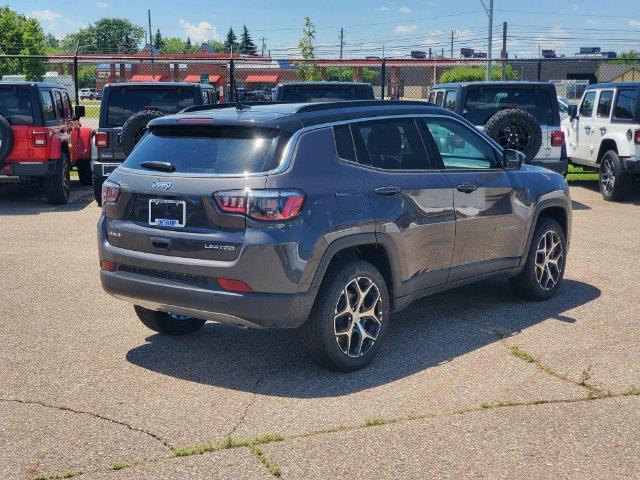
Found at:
[30, 199]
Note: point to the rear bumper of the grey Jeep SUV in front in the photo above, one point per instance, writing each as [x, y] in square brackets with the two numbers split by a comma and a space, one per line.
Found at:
[189, 287]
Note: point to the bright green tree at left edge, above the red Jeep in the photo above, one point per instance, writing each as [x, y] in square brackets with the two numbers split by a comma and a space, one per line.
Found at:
[21, 36]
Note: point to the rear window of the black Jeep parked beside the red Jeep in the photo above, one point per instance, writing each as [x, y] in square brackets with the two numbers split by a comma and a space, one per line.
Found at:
[124, 102]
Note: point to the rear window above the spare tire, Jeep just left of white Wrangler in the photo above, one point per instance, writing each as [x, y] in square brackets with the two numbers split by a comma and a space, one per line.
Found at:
[484, 102]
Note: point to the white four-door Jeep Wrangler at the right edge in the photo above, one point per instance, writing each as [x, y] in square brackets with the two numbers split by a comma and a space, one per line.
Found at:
[604, 134]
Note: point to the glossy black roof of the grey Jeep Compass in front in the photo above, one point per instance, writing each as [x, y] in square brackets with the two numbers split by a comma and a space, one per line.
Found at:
[294, 116]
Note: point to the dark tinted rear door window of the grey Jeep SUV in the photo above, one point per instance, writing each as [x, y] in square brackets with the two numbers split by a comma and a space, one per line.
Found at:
[394, 144]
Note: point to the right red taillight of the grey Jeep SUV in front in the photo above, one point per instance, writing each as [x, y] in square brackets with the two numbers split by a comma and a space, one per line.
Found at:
[268, 205]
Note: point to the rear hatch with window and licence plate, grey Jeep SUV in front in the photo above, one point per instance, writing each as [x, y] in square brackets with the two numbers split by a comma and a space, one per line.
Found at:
[174, 213]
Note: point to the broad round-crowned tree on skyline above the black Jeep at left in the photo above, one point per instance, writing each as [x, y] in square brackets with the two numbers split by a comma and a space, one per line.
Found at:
[107, 35]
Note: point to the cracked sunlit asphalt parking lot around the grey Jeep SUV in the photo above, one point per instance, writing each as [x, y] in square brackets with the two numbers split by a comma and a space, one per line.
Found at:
[471, 383]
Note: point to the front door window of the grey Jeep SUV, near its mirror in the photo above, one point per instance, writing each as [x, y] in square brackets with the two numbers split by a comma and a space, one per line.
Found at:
[459, 147]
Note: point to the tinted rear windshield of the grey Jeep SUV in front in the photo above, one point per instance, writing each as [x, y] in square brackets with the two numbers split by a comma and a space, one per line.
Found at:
[211, 150]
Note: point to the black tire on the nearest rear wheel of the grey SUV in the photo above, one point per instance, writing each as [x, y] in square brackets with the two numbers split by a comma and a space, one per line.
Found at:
[328, 349]
